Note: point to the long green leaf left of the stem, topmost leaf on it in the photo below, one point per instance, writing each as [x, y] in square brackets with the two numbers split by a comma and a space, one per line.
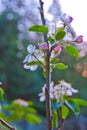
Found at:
[39, 28]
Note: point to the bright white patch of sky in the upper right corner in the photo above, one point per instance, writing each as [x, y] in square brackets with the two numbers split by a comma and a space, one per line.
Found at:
[77, 9]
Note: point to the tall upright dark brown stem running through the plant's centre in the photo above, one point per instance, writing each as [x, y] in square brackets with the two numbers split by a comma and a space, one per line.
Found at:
[48, 74]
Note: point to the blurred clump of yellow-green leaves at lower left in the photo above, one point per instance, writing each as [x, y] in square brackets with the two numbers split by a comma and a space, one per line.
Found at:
[17, 112]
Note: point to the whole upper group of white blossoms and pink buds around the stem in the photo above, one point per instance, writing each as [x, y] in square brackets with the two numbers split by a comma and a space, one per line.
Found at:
[37, 56]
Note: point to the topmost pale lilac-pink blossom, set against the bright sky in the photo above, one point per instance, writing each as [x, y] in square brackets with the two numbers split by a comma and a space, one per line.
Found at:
[66, 19]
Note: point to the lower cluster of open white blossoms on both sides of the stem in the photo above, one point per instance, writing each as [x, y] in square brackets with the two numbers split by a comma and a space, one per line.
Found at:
[58, 91]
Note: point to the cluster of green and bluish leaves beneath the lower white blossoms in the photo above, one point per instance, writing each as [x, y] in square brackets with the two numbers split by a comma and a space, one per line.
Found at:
[62, 109]
